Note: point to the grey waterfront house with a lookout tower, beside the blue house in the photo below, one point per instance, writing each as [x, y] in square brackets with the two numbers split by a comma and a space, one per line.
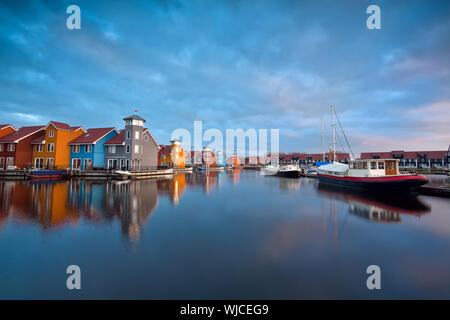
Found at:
[134, 148]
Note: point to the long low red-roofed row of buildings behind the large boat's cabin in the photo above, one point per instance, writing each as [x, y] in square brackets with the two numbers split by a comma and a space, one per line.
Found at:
[413, 159]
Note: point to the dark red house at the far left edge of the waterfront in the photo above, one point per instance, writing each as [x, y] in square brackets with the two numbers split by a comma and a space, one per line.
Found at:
[15, 148]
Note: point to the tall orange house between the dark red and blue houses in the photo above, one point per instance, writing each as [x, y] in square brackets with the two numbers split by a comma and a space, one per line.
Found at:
[54, 151]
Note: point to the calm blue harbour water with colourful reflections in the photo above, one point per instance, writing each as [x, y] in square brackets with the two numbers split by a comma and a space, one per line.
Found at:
[219, 235]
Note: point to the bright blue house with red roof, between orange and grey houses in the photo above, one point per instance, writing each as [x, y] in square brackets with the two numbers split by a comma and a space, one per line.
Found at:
[88, 150]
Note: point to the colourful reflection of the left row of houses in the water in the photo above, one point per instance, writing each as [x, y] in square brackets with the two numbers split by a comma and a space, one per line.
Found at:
[52, 204]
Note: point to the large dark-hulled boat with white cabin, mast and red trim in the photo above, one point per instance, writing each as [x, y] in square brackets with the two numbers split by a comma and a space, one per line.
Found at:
[373, 174]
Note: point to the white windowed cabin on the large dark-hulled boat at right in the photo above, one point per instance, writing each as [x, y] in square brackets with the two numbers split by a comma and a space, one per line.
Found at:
[373, 167]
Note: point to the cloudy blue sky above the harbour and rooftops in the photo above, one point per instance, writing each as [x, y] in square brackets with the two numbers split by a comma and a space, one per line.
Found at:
[234, 64]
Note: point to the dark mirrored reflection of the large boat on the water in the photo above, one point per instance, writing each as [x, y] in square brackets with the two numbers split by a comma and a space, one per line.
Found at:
[376, 207]
